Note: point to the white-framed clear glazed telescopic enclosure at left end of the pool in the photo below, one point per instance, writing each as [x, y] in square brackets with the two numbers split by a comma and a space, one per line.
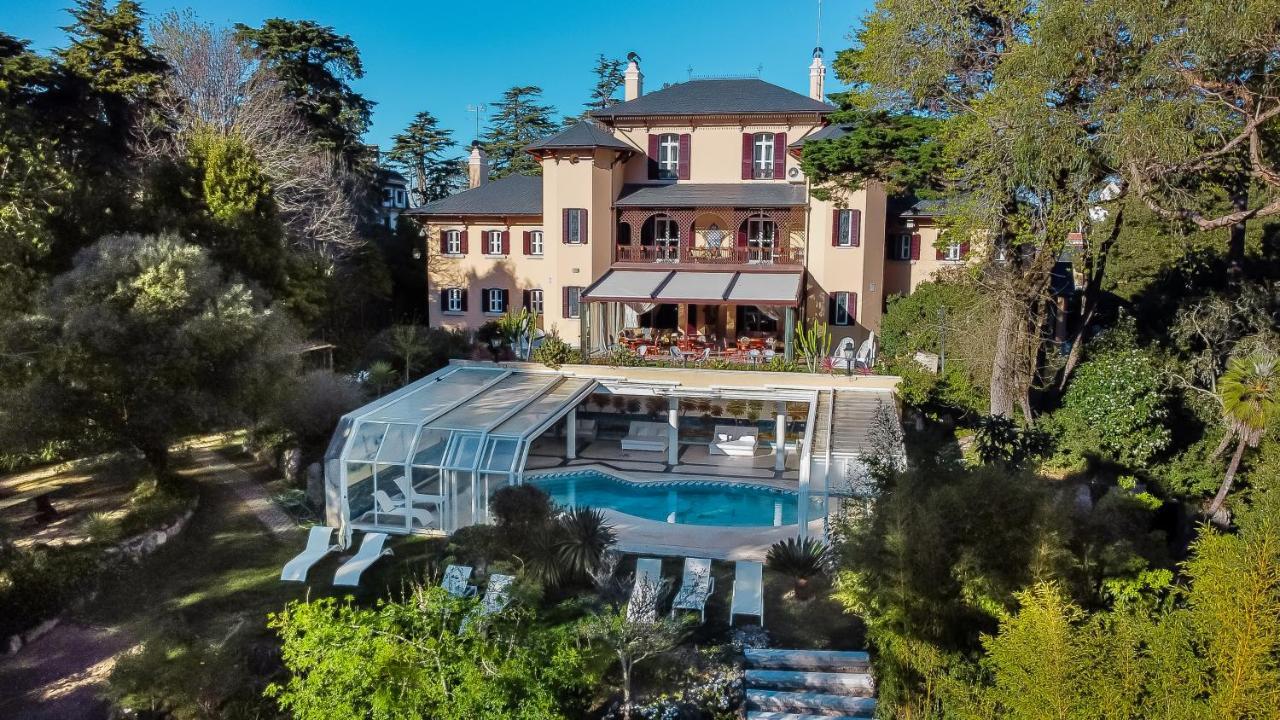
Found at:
[427, 458]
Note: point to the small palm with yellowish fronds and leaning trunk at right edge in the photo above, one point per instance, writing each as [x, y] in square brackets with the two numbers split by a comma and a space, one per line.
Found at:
[1250, 391]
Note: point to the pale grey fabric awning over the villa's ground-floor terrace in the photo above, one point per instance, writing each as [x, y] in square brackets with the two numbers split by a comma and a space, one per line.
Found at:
[697, 286]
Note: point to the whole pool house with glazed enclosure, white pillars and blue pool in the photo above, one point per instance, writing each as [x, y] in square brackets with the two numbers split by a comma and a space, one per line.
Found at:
[720, 463]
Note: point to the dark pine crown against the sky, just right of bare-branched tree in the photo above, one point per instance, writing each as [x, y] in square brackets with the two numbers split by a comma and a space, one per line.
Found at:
[317, 66]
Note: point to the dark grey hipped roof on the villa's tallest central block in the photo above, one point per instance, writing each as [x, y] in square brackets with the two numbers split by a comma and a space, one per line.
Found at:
[716, 98]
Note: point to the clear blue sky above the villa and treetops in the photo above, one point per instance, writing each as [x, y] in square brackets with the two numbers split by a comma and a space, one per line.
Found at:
[444, 57]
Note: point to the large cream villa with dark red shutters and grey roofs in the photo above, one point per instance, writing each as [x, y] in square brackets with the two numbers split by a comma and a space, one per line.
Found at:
[678, 216]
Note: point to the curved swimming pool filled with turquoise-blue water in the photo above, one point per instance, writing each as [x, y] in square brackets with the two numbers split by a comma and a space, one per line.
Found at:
[688, 503]
